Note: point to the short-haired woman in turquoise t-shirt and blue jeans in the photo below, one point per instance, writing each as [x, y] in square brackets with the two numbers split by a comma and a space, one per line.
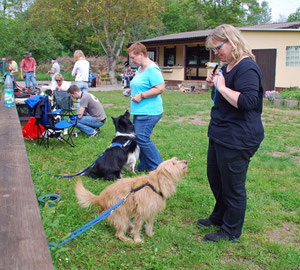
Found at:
[146, 104]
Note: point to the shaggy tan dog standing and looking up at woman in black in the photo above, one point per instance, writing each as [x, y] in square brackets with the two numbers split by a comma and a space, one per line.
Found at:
[142, 205]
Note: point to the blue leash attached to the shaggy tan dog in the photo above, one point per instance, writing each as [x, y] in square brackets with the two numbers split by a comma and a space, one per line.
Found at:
[88, 225]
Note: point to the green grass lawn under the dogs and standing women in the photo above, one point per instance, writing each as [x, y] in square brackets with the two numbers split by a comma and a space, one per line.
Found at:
[270, 238]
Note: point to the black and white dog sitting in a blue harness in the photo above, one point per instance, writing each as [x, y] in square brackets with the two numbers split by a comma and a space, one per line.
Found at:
[124, 151]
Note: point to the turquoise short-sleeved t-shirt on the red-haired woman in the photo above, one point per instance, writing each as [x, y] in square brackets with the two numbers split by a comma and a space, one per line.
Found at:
[143, 82]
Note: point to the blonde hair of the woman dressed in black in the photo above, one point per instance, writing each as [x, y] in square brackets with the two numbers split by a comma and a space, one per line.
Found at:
[228, 33]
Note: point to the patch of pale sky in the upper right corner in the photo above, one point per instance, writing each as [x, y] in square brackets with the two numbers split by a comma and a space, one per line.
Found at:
[282, 7]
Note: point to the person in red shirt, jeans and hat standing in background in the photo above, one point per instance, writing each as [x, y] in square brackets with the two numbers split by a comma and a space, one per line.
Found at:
[28, 65]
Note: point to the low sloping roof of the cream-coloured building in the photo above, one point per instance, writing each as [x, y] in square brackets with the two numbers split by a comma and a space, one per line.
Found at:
[202, 34]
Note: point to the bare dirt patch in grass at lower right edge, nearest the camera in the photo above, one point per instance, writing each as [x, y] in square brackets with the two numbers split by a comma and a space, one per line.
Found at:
[287, 234]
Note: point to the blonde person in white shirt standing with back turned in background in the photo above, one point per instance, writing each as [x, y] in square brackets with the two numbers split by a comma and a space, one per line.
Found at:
[81, 71]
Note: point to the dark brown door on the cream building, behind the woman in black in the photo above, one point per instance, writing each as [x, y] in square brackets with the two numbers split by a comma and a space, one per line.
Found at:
[266, 60]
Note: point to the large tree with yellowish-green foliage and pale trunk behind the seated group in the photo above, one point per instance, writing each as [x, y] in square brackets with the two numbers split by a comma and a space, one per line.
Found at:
[107, 21]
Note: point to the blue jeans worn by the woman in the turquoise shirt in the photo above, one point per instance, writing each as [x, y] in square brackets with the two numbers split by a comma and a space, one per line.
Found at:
[149, 155]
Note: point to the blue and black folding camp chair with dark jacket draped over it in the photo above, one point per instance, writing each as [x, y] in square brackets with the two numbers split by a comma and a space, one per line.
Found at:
[55, 126]
